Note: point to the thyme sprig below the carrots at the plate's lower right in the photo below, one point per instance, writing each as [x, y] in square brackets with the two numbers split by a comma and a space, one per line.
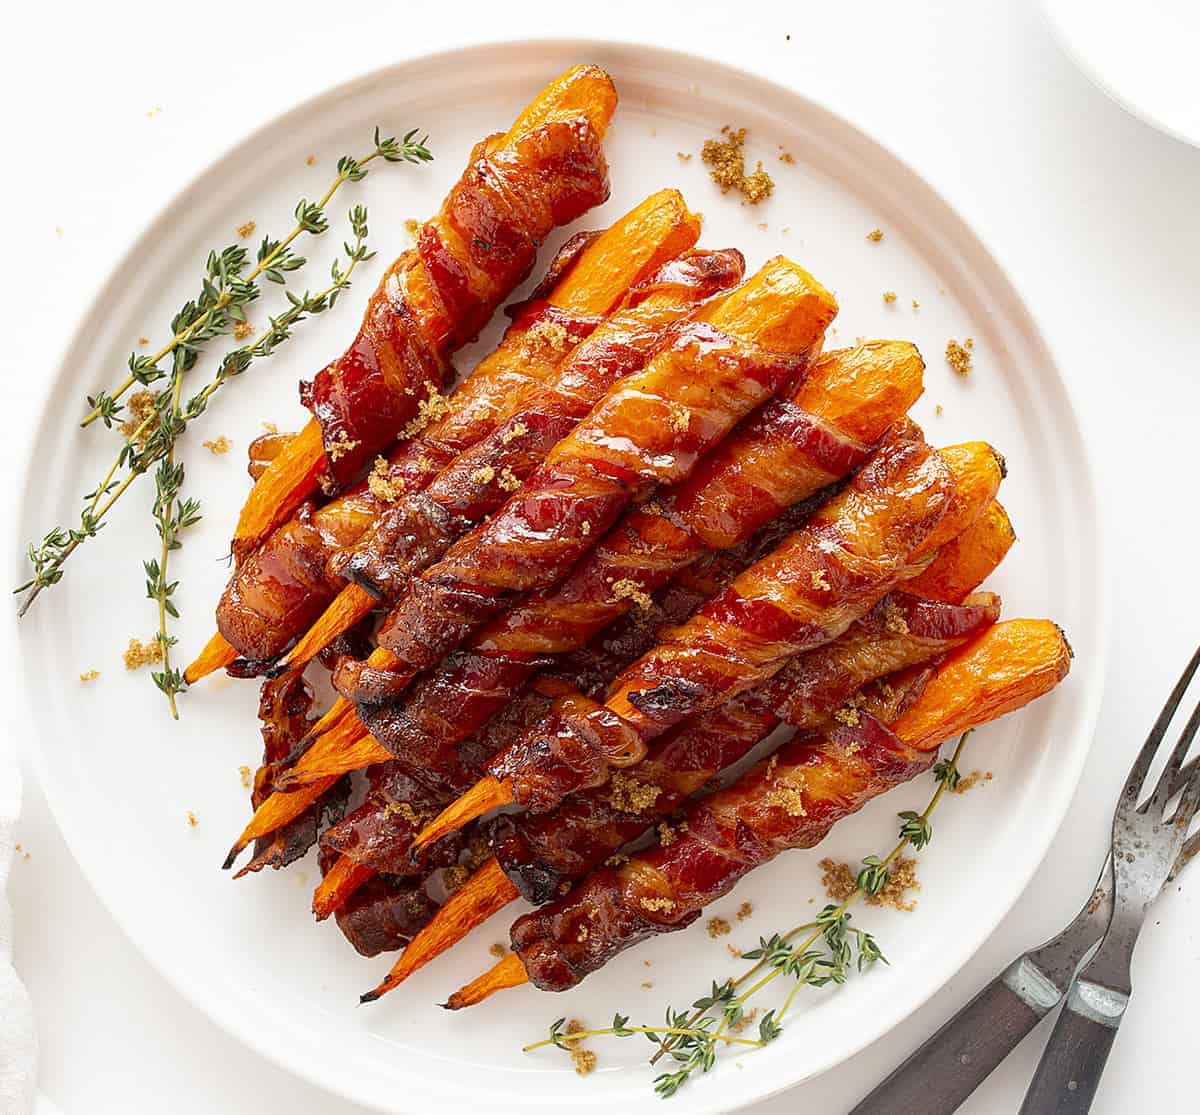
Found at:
[832, 949]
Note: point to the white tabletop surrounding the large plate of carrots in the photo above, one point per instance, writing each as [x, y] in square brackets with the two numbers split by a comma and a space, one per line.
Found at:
[1091, 212]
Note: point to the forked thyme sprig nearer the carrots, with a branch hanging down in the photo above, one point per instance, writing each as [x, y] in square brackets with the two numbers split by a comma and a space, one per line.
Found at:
[154, 440]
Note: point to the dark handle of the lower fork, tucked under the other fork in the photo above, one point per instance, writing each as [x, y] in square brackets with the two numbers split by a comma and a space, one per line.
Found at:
[940, 1076]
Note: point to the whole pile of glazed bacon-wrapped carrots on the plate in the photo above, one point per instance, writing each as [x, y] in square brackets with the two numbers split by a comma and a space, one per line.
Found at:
[653, 529]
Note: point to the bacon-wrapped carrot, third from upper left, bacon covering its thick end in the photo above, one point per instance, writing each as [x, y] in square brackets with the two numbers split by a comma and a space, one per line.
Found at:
[419, 529]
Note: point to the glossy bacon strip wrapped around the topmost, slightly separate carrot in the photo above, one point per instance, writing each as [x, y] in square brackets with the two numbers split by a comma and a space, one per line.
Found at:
[483, 244]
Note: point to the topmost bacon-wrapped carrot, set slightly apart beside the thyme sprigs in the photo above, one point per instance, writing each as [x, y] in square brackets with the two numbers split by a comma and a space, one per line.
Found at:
[547, 171]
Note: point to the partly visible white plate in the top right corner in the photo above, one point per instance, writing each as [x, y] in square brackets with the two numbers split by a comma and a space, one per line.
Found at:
[1147, 62]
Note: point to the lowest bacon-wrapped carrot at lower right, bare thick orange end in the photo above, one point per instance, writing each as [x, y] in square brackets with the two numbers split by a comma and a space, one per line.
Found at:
[788, 802]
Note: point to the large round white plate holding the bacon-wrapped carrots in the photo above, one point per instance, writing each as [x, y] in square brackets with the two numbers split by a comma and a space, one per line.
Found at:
[122, 777]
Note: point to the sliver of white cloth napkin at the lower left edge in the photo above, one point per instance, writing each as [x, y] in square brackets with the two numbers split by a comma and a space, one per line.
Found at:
[19, 1042]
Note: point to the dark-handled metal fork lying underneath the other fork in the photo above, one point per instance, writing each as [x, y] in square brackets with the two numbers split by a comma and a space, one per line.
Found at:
[940, 1076]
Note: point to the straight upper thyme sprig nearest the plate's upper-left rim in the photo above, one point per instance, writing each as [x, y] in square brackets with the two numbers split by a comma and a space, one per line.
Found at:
[226, 292]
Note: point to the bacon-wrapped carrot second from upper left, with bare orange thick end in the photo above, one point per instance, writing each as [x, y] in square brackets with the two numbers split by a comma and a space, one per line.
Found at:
[285, 586]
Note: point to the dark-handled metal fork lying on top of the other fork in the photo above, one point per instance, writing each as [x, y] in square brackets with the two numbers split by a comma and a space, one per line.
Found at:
[1147, 842]
